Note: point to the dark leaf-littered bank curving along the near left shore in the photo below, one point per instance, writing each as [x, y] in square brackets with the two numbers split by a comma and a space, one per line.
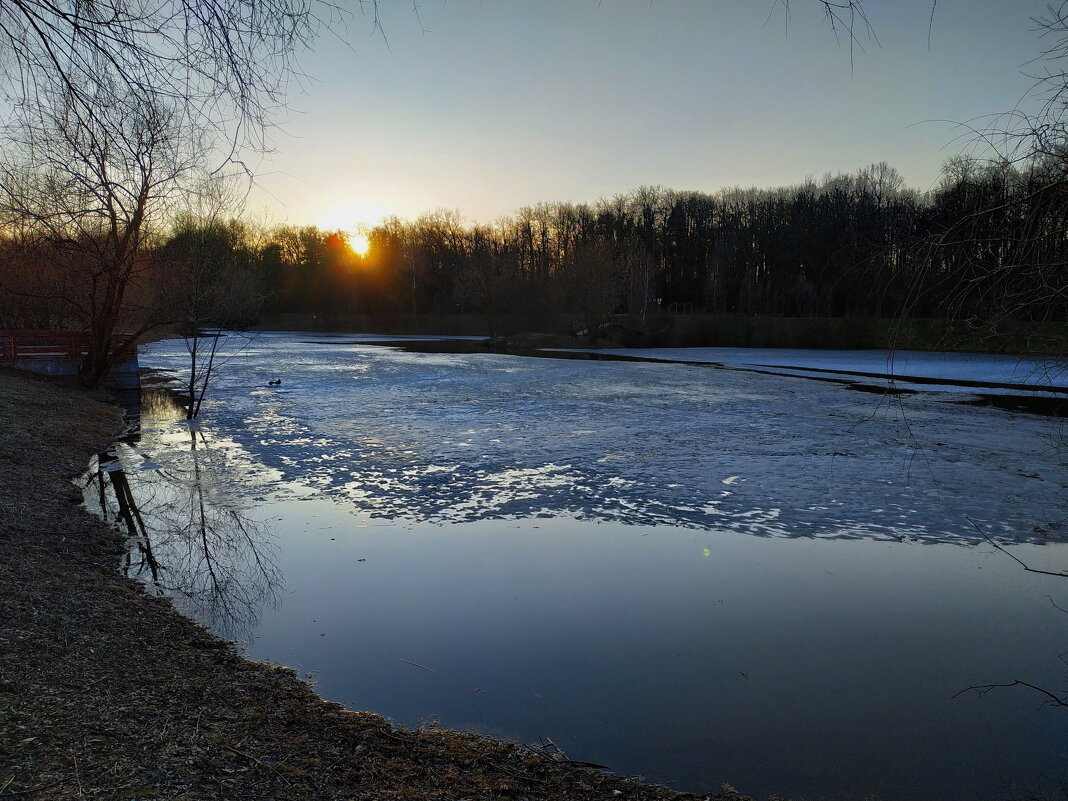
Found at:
[108, 693]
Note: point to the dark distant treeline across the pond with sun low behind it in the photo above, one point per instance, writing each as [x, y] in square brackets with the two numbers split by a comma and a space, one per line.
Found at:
[987, 245]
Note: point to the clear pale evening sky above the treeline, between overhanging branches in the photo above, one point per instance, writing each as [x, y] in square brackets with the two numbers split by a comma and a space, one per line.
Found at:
[488, 106]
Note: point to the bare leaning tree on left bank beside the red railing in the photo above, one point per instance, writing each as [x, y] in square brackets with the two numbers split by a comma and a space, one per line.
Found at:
[87, 189]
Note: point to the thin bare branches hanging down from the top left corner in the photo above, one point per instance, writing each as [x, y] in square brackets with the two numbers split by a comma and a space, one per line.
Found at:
[222, 66]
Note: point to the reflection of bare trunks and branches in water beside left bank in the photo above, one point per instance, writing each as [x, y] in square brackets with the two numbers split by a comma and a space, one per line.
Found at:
[191, 535]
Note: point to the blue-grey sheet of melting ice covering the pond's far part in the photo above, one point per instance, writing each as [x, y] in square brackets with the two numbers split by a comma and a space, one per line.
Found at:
[466, 437]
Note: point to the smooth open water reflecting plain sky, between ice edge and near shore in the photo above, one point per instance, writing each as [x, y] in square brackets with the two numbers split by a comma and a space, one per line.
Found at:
[626, 646]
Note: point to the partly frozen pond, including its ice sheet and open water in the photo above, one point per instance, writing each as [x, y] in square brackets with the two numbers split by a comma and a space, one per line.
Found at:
[693, 574]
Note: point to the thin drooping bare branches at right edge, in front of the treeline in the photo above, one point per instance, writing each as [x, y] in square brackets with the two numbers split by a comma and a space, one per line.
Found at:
[1001, 260]
